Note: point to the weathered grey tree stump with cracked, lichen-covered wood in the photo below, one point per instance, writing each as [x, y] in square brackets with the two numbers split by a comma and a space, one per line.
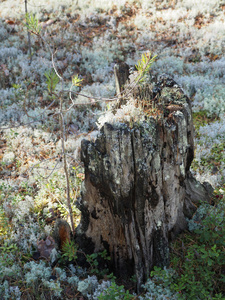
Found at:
[138, 190]
